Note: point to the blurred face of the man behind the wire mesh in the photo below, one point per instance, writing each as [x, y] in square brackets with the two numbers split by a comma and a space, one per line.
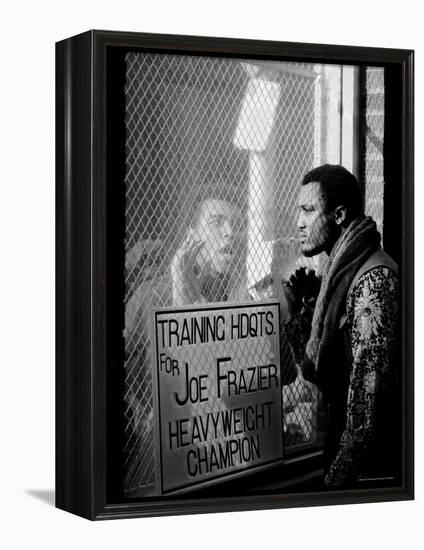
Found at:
[215, 229]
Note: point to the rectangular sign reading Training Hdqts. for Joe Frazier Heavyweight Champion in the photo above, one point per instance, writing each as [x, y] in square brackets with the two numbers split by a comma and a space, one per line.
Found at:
[218, 386]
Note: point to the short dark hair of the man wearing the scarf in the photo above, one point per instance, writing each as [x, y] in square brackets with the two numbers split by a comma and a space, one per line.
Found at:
[338, 187]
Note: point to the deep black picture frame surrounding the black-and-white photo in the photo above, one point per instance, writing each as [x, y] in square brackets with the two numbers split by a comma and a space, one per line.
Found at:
[86, 344]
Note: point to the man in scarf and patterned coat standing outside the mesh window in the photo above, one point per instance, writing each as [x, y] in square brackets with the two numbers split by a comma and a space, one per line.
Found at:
[351, 340]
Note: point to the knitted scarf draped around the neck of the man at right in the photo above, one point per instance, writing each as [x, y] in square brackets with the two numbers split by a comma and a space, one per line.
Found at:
[350, 251]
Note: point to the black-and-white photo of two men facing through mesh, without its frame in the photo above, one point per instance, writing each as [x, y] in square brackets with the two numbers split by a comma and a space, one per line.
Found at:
[261, 282]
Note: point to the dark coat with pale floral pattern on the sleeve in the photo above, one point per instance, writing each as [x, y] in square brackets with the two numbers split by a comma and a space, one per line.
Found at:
[362, 396]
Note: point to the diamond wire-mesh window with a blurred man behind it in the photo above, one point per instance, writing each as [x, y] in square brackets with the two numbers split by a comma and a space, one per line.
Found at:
[215, 150]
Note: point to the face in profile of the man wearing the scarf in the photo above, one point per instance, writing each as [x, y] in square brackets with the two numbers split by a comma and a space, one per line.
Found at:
[317, 230]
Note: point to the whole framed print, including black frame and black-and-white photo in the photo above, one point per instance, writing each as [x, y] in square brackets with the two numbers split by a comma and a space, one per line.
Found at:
[234, 274]
